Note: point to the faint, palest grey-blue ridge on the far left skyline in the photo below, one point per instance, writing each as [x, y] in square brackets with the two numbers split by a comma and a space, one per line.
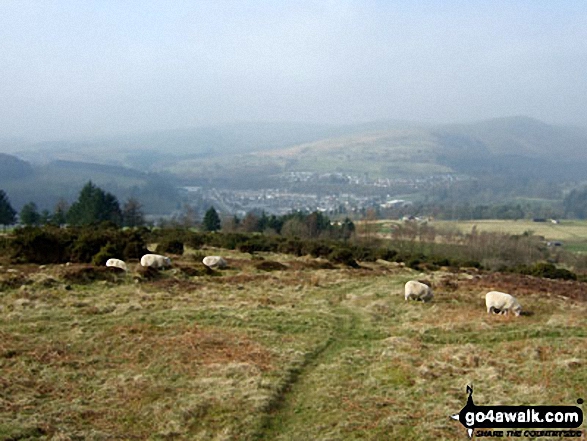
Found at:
[152, 150]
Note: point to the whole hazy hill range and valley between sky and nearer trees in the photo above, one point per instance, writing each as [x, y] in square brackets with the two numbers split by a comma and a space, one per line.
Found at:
[505, 155]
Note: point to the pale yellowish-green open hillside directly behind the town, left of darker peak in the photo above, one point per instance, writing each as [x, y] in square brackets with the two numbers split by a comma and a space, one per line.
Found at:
[380, 155]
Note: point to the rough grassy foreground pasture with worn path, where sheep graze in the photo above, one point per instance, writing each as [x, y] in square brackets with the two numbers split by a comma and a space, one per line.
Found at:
[296, 353]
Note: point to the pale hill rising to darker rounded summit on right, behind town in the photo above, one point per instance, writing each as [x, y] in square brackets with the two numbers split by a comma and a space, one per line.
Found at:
[508, 146]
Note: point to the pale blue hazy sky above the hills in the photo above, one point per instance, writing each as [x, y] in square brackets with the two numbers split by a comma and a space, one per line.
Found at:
[75, 68]
